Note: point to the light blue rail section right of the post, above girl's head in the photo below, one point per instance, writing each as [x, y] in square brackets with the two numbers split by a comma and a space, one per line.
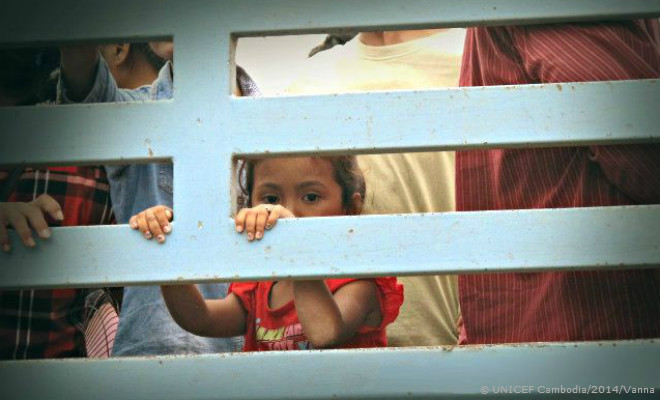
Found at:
[483, 117]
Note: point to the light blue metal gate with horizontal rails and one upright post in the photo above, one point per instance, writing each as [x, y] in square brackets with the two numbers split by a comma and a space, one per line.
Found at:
[203, 115]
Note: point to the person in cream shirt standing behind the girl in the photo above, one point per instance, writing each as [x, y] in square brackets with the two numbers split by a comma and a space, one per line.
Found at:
[404, 182]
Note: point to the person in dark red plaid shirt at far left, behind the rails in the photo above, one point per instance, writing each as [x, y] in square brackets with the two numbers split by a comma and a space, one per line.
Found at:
[47, 323]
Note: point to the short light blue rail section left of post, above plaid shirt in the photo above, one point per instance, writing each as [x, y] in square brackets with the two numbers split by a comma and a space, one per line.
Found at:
[90, 133]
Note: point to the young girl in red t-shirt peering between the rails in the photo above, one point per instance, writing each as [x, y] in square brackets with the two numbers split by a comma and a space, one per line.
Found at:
[290, 315]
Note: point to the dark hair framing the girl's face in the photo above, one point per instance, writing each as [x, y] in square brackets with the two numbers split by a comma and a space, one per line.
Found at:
[347, 174]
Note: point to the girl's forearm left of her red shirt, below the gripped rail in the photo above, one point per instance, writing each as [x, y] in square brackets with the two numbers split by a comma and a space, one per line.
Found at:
[211, 318]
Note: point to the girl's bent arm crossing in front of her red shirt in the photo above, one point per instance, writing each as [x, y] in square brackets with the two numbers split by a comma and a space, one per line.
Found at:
[329, 320]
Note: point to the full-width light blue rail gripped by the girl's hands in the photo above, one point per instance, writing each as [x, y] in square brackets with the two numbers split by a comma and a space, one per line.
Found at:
[203, 248]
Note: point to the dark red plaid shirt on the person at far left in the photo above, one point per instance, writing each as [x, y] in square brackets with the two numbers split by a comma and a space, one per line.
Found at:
[48, 323]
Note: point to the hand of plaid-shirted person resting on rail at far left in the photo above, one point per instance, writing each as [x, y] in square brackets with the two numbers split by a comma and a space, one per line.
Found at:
[25, 217]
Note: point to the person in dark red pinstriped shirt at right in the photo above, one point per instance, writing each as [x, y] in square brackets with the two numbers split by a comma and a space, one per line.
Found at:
[560, 306]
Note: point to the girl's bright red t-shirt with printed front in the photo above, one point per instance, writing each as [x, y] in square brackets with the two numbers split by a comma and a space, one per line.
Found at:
[279, 329]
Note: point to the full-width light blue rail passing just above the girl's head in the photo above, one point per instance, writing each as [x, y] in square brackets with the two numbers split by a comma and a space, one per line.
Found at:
[484, 117]
